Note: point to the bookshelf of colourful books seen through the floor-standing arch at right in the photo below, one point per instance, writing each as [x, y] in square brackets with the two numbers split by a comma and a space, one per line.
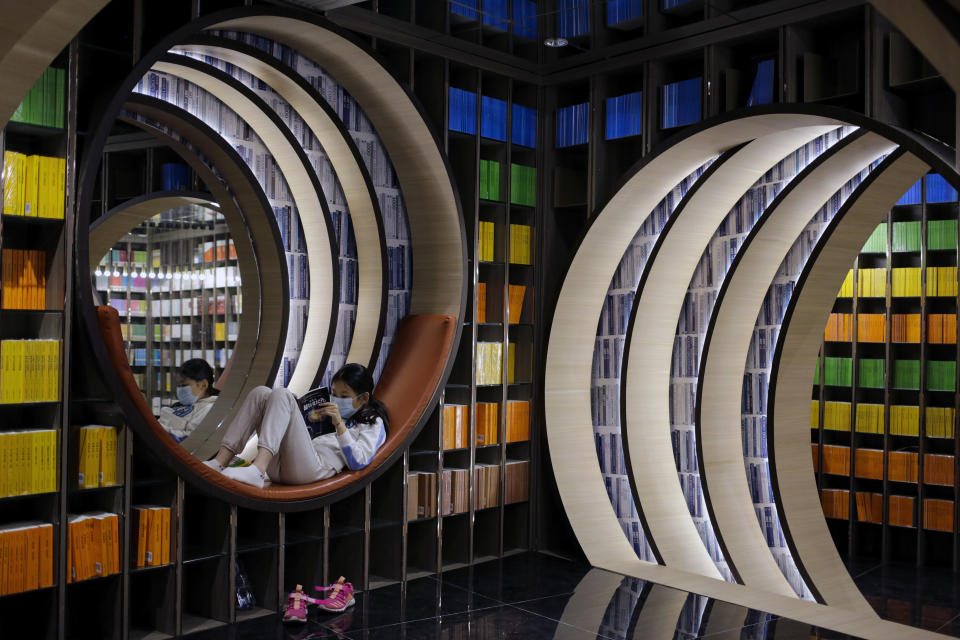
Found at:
[885, 444]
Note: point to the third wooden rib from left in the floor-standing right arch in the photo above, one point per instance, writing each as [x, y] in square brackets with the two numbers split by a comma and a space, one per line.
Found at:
[718, 408]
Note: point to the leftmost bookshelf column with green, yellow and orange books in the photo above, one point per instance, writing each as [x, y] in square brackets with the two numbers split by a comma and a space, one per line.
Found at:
[36, 247]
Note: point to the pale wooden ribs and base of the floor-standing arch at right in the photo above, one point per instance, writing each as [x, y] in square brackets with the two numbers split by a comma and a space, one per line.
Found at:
[751, 142]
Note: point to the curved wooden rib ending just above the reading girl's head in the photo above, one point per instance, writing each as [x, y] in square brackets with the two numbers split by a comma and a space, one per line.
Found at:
[351, 171]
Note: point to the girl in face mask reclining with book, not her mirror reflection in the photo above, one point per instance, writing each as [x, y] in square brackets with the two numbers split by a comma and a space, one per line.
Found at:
[286, 453]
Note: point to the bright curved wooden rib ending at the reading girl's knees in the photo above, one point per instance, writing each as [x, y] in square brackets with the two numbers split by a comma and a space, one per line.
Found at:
[307, 195]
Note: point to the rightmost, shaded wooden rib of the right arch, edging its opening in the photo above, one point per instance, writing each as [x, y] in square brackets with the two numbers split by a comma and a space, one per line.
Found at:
[788, 407]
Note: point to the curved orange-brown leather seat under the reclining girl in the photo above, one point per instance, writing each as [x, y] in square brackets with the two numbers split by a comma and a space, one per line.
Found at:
[412, 372]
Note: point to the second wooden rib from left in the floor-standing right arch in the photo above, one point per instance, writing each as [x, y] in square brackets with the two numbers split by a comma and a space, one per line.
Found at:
[645, 376]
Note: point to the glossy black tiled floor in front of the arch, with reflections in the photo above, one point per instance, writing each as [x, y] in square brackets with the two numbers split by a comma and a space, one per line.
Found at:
[530, 596]
